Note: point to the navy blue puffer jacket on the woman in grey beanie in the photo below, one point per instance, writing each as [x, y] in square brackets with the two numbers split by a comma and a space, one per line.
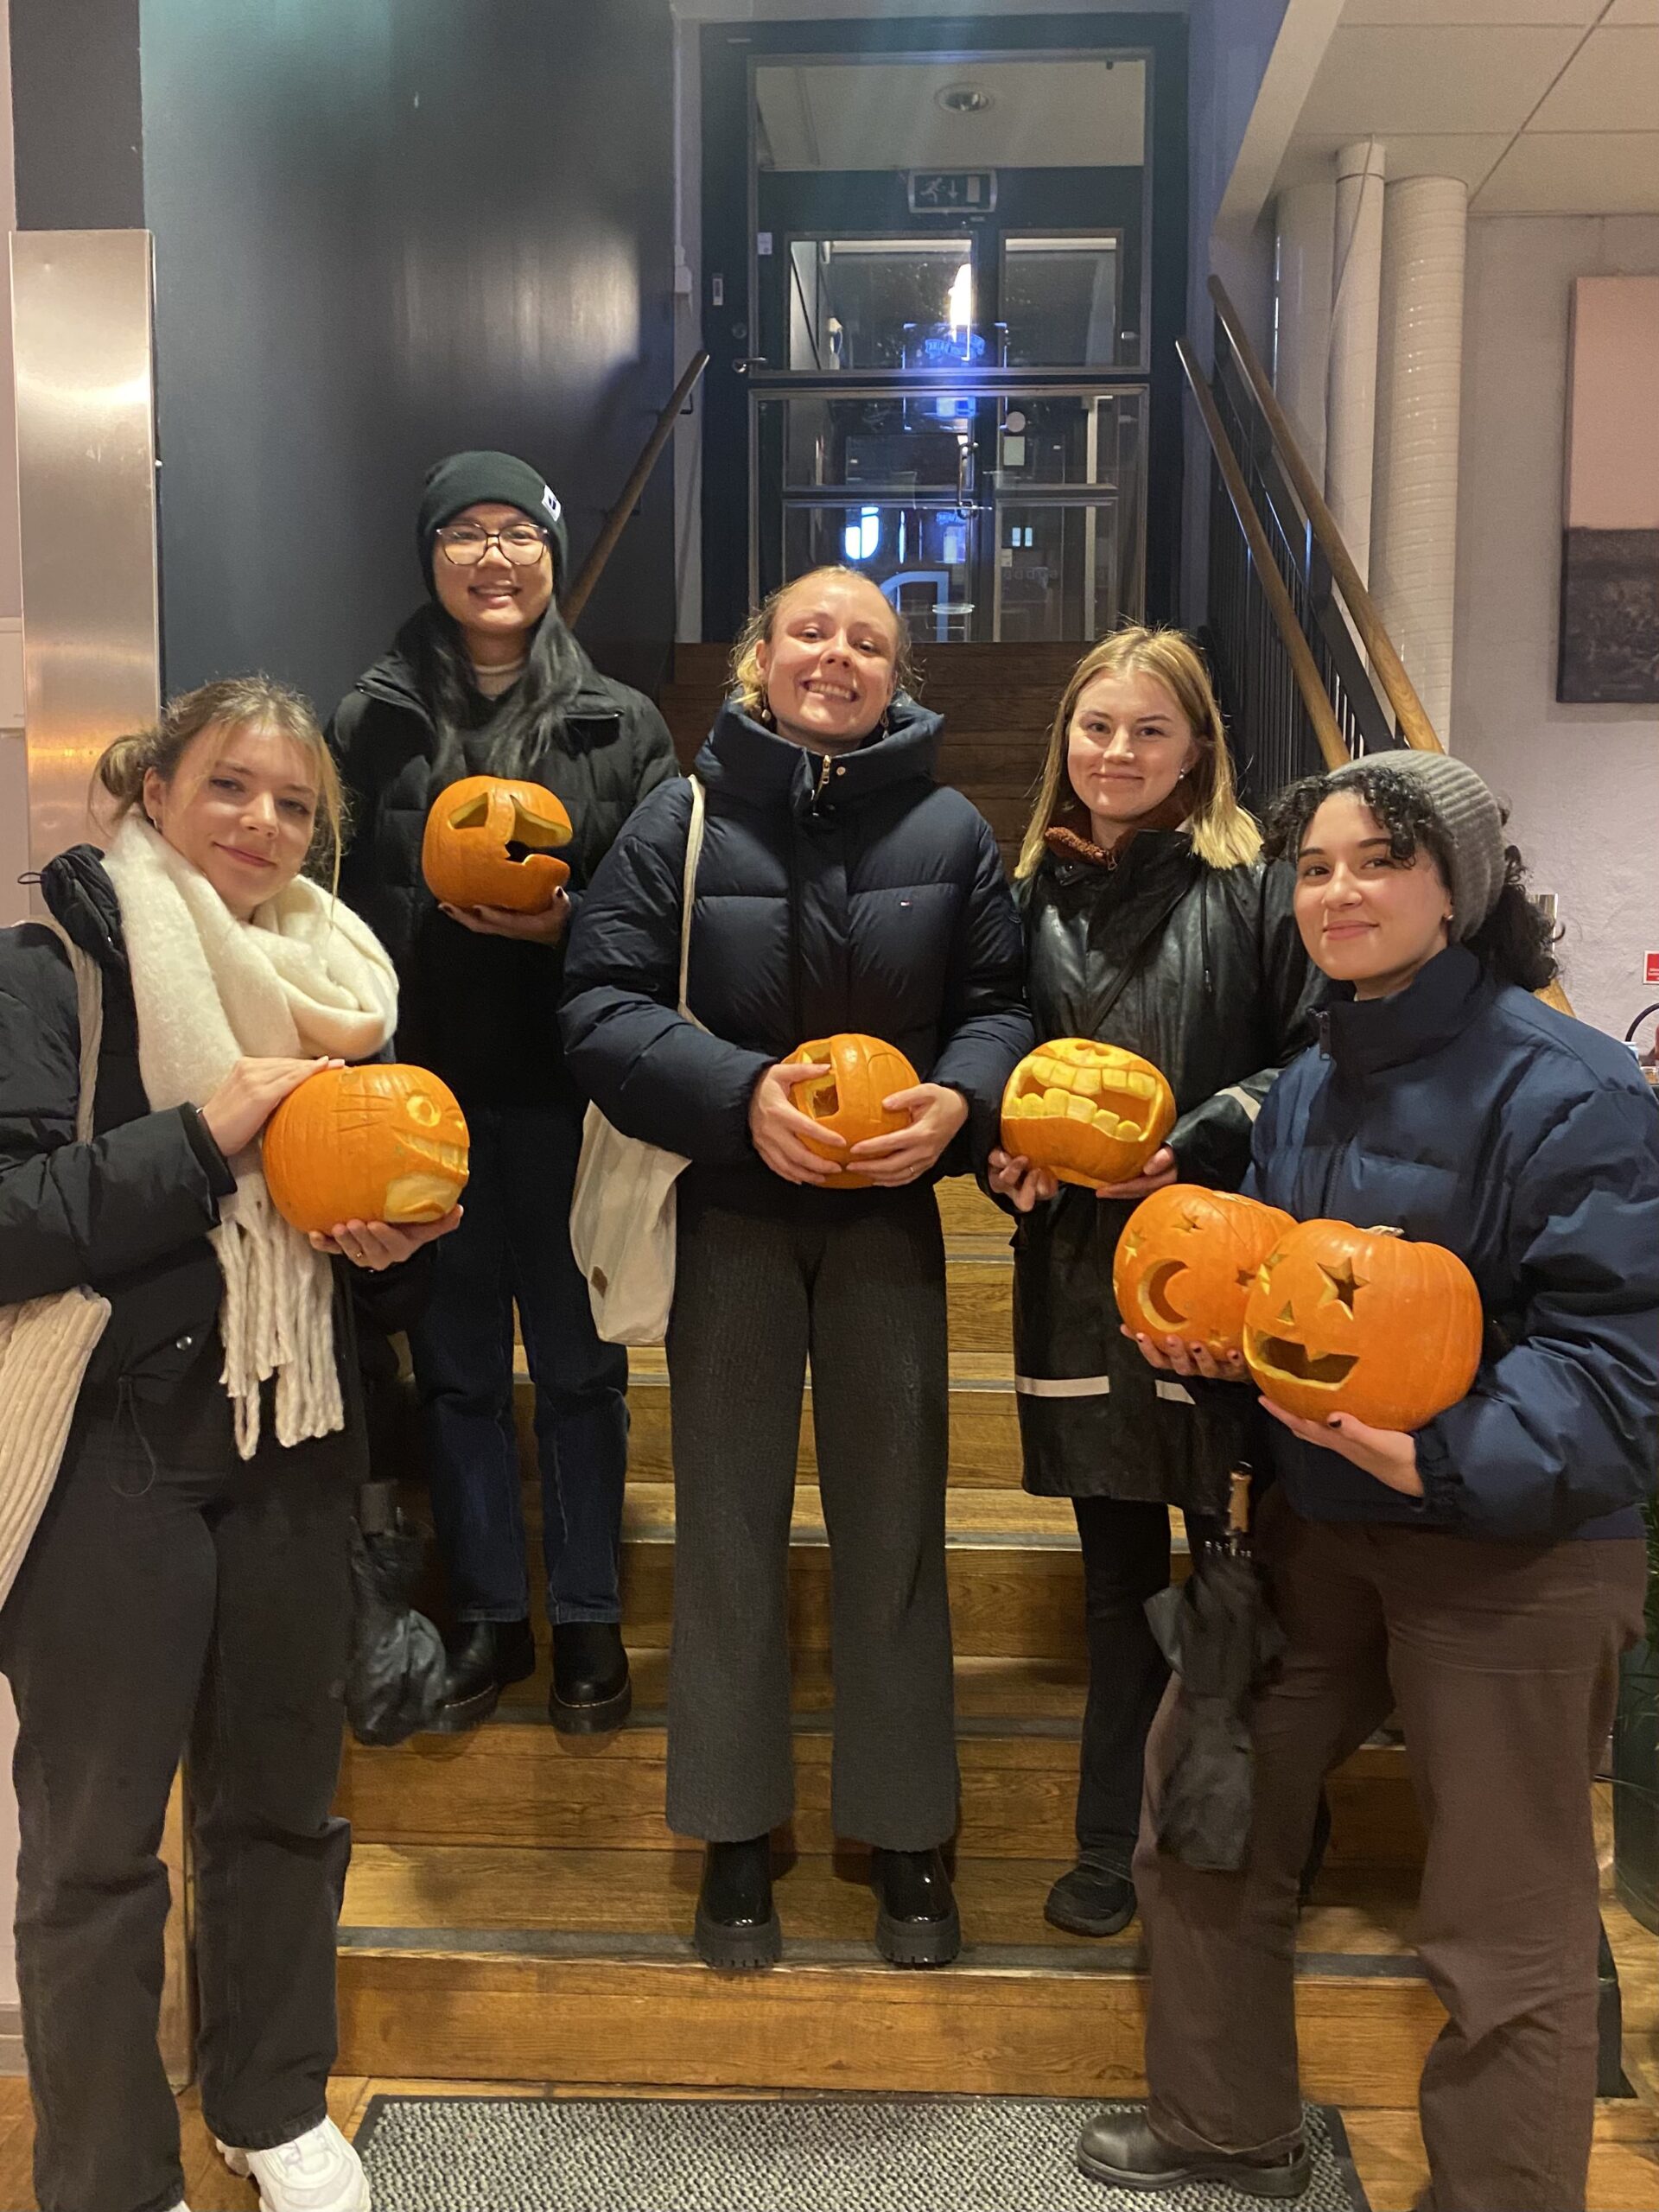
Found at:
[1468, 1114]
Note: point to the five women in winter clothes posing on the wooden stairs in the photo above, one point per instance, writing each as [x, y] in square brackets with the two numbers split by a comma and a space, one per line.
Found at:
[1346, 1021]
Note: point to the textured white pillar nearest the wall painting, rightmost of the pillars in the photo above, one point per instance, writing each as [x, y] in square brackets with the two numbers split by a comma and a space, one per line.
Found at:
[1419, 386]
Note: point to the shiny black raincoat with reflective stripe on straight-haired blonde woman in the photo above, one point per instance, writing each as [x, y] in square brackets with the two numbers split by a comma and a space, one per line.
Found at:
[1218, 997]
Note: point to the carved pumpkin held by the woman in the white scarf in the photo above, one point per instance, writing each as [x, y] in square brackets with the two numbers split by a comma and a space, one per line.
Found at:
[366, 1145]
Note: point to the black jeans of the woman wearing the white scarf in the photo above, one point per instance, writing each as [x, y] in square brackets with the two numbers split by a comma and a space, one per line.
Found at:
[167, 1607]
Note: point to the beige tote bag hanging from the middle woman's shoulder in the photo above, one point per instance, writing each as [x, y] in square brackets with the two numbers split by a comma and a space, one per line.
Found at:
[623, 1215]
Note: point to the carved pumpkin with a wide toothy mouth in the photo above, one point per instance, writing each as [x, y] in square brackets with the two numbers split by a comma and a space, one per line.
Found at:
[1092, 1114]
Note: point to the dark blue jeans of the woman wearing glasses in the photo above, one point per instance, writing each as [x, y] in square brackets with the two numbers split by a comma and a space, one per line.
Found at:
[514, 1249]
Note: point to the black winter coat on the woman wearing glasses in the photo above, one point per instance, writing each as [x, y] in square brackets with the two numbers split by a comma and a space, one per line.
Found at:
[479, 1012]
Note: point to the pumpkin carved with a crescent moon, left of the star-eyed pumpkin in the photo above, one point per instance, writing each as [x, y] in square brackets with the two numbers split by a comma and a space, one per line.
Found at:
[1189, 1260]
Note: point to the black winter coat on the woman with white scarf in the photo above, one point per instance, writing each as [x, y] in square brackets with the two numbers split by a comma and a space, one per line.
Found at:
[127, 1213]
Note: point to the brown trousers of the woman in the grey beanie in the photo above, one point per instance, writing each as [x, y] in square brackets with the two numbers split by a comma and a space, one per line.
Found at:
[1503, 1660]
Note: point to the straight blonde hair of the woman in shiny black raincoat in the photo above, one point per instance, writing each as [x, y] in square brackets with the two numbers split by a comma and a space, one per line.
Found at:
[1224, 833]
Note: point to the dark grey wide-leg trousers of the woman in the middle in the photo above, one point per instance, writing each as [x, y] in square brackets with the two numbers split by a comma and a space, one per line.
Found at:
[864, 1300]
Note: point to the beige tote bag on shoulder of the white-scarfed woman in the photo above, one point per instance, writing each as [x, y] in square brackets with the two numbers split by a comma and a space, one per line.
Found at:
[45, 1344]
